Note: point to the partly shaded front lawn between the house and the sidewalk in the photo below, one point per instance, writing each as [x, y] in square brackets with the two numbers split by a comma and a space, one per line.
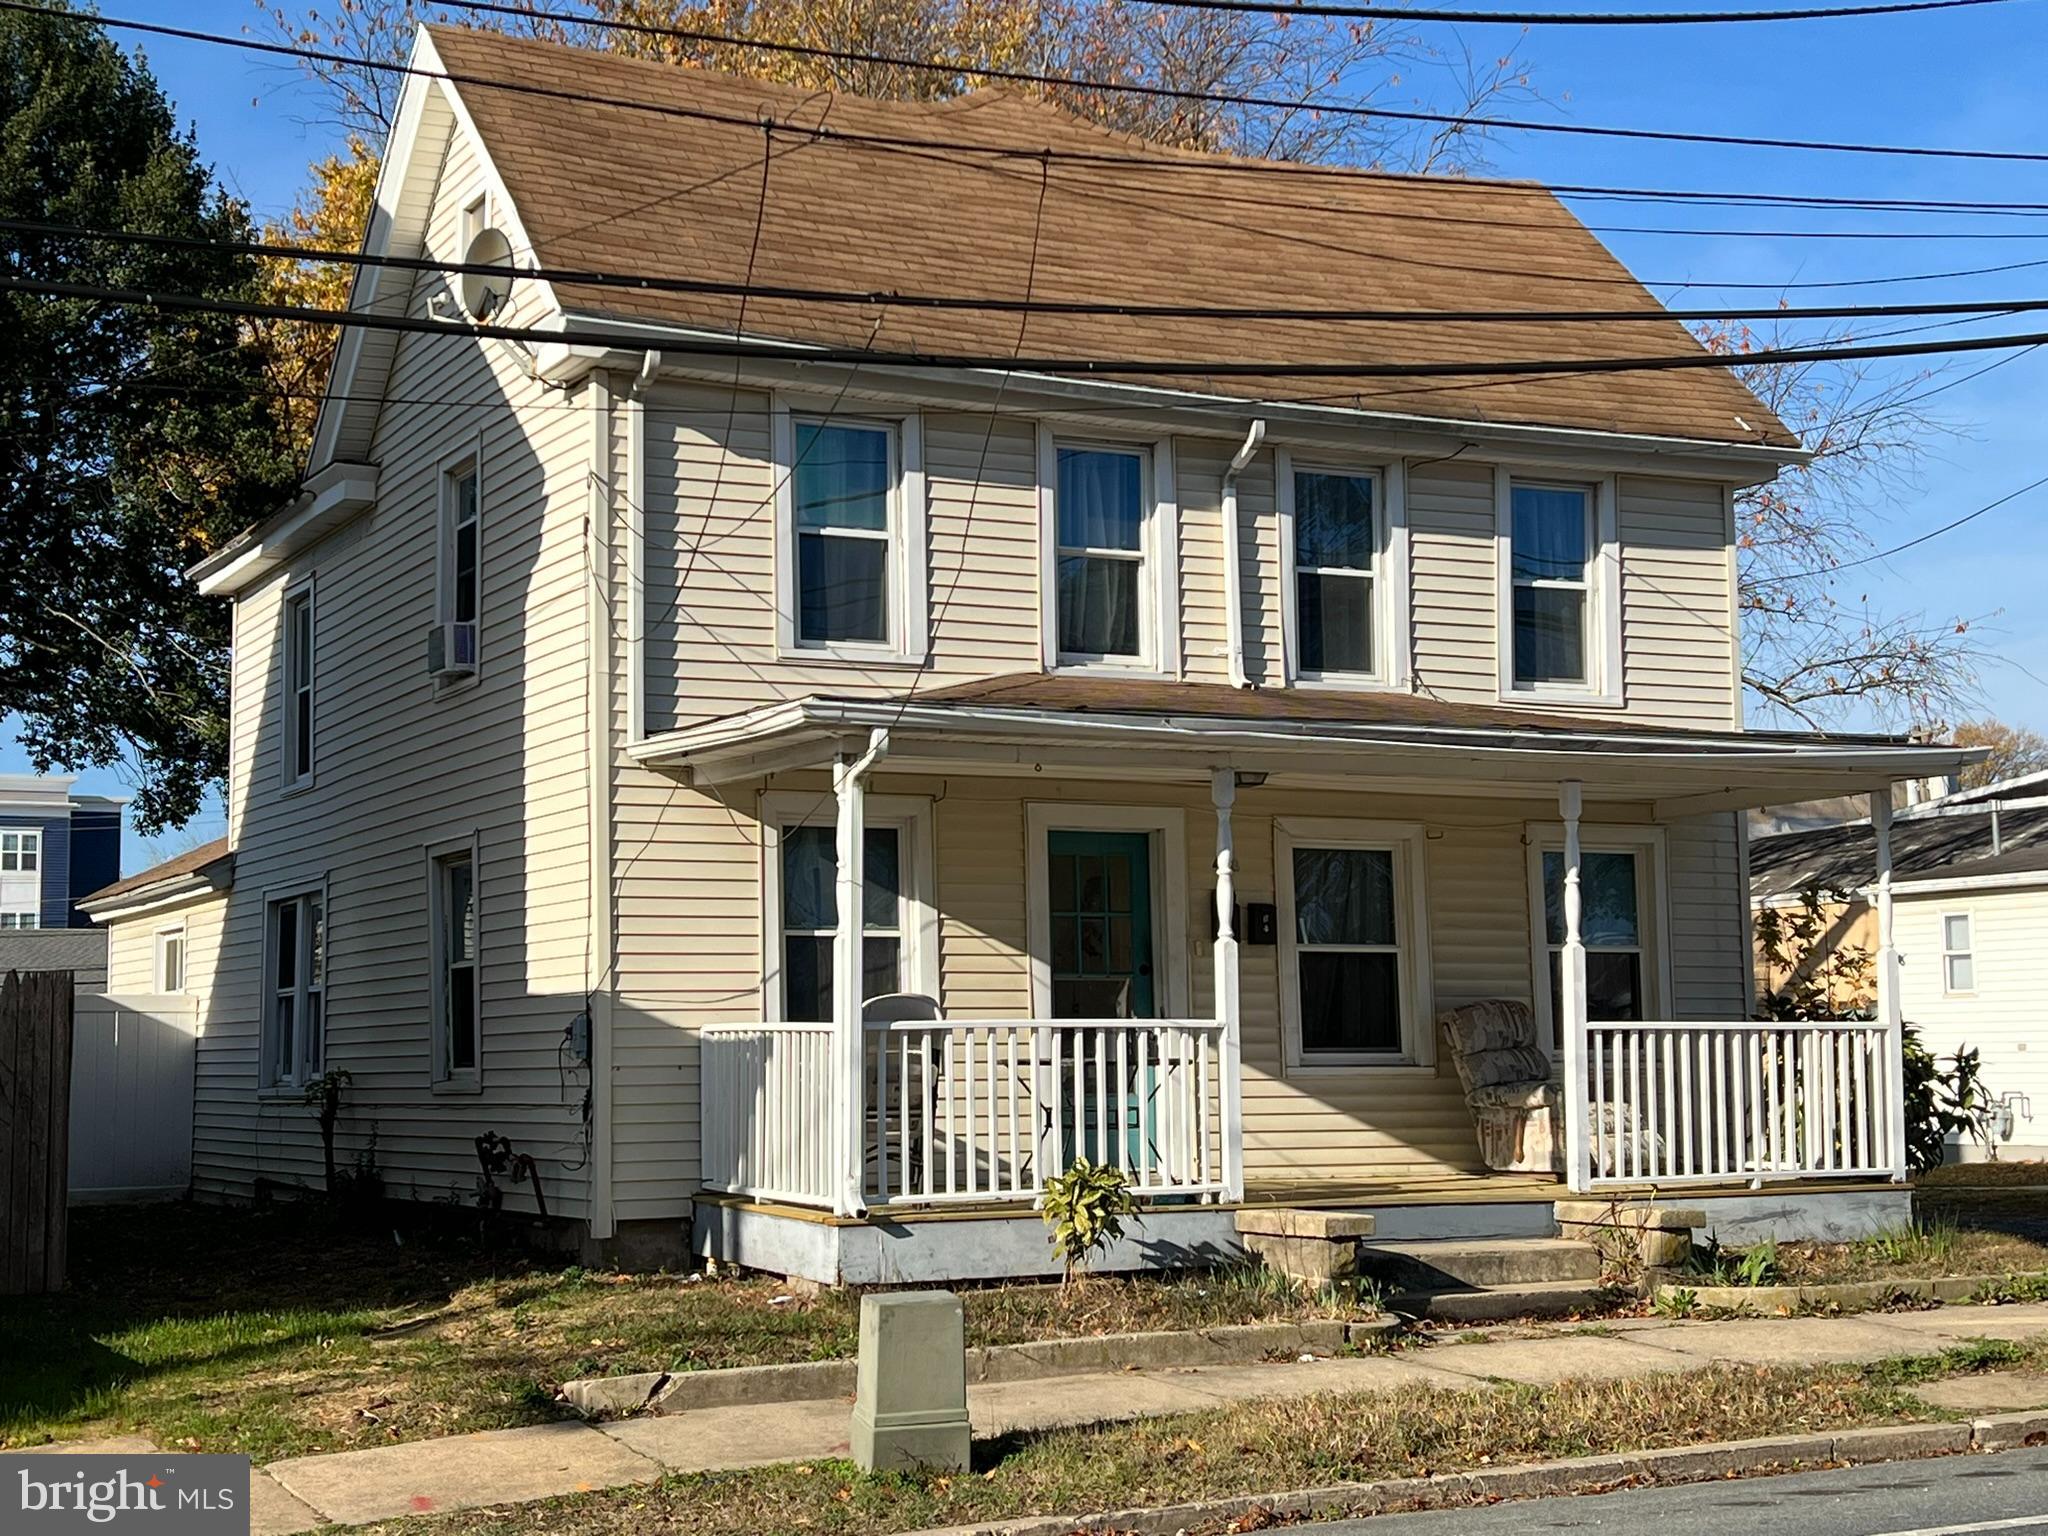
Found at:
[296, 1330]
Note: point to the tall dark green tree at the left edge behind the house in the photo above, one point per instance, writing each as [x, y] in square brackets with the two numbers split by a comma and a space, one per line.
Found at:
[132, 439]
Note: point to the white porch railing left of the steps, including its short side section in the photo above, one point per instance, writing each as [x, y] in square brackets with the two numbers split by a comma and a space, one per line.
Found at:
[968, 1111]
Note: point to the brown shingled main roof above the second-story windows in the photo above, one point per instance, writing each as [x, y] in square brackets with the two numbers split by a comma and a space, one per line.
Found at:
[628, 191]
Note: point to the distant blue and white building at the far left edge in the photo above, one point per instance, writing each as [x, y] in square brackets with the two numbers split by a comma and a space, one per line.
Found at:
[54, 847]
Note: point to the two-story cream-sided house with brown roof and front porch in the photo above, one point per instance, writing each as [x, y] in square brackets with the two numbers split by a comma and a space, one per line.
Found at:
[806, 757]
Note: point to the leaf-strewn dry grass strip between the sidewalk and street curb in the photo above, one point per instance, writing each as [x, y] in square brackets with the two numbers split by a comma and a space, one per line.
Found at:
[1254, 1449]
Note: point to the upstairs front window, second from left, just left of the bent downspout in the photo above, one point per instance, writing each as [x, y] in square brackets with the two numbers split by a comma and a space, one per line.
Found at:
[1109, 574]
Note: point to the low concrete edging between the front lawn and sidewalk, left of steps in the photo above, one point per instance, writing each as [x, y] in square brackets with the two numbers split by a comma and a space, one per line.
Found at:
[1236, 1345]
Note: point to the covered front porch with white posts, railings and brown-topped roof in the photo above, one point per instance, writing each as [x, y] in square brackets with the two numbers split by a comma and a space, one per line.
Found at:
[1500, 833]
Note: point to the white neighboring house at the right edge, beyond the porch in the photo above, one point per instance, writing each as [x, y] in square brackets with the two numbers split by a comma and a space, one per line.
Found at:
[1969, 894]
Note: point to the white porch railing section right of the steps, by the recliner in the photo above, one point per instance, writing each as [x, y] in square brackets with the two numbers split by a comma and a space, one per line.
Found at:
[1752, 1101]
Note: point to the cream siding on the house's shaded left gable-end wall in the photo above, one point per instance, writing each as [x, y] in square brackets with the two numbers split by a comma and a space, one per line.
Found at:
[404, 765]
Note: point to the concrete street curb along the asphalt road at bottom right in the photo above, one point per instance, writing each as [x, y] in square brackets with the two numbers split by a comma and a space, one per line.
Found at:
[1539, 1480]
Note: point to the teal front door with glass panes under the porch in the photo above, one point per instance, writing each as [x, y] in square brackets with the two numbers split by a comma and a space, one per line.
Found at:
[1099, 898]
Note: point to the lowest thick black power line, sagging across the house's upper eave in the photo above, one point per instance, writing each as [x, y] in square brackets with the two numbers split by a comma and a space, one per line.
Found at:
[980, 361]
